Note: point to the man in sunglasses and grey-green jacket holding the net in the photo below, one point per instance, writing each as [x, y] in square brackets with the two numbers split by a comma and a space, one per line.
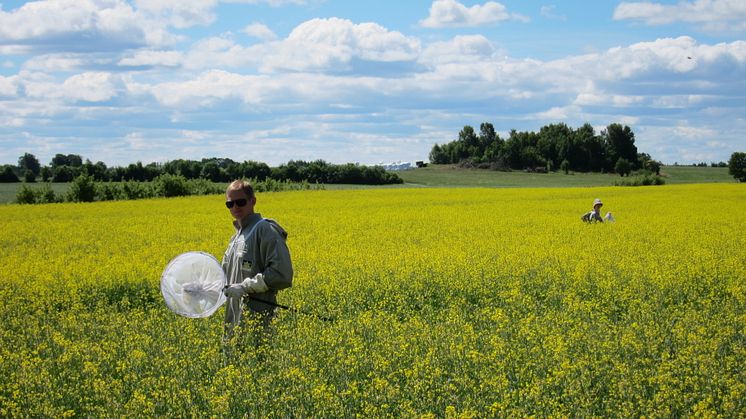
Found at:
[257, 262]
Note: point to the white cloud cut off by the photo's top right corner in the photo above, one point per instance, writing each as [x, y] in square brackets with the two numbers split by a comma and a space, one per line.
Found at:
[711, 14]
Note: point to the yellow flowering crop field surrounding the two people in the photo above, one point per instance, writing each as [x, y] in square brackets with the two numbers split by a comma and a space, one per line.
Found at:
[448, 303]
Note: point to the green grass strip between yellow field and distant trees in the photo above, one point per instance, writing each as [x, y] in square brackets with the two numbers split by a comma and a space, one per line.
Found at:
[451, 176]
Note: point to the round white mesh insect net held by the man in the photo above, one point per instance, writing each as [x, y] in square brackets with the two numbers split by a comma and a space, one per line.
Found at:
[192, 284]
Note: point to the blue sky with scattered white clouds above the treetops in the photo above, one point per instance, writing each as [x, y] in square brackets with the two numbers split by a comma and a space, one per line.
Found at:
[276, 80]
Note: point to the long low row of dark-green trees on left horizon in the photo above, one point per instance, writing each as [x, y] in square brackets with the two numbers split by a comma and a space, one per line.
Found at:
[67, 167]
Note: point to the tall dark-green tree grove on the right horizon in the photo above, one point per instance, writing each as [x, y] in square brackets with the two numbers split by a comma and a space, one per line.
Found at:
[555, 146]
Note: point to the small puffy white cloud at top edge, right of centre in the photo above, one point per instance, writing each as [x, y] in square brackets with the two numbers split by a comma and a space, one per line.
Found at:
[451, 13]
